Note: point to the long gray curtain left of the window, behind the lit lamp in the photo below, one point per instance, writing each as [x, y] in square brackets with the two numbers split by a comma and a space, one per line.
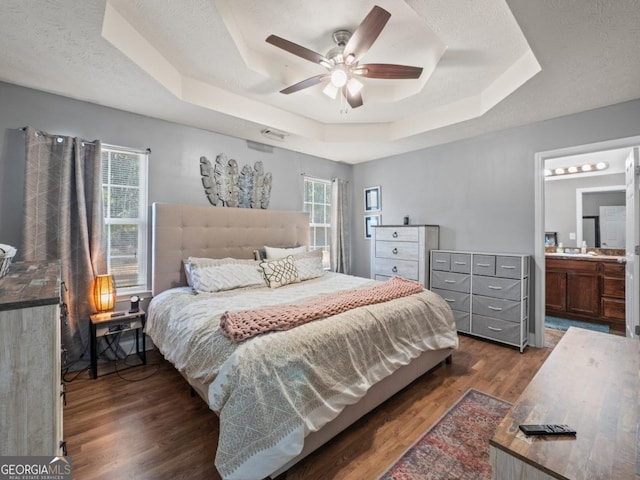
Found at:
[64, 221]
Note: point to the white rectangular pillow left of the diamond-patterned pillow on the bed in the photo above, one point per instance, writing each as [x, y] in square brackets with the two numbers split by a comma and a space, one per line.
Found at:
[214, 275]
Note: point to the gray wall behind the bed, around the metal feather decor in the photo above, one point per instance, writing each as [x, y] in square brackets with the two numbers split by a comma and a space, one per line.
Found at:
[174, 172]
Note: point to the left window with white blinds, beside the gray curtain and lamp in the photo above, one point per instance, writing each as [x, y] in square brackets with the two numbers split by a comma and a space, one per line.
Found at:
[124, 195]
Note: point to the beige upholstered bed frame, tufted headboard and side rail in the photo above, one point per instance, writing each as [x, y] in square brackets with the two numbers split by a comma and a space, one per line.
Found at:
[180, 231]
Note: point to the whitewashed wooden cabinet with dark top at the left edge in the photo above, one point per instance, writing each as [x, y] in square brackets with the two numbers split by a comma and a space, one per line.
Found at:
[31, 390]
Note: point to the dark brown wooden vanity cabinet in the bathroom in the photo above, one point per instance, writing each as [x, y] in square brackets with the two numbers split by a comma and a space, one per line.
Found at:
[586, 289]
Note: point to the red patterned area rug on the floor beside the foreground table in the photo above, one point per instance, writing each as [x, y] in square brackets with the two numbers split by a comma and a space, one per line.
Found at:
[457, 446]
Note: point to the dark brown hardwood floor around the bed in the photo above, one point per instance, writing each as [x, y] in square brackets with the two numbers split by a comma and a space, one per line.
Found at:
[143, 424]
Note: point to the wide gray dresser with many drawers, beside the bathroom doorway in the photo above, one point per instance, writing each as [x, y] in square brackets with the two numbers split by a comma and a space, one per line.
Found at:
[488, 293]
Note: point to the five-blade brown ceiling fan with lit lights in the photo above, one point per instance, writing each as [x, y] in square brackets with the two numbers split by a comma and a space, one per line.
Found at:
[342, 60]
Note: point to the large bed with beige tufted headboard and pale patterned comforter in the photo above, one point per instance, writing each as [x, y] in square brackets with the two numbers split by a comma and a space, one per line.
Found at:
[277, 406]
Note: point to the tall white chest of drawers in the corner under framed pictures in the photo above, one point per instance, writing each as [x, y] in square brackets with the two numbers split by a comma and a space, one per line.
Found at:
[403, 250]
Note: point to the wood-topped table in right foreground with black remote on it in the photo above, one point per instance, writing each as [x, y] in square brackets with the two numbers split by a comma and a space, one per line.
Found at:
[590, 382]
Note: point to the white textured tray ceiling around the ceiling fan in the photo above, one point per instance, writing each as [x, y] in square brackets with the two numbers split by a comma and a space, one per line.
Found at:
[205, 63]
